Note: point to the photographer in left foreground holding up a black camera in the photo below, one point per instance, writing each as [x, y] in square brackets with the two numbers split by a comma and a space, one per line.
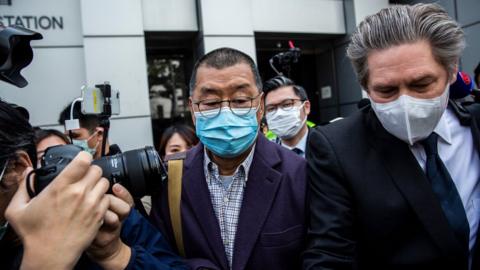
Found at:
[71, 215]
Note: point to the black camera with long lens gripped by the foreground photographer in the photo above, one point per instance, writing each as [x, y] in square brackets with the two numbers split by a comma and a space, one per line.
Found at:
[140, 171]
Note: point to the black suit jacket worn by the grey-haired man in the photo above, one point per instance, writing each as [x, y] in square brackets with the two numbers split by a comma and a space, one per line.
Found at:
[372, 206]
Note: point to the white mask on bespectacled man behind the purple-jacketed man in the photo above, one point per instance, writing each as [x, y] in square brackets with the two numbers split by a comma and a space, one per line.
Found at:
[286, 124]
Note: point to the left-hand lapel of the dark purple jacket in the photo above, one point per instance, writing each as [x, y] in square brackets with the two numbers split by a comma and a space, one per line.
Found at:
[199, 200]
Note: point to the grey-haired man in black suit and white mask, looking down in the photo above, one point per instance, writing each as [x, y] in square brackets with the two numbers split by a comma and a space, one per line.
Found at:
[396, 185]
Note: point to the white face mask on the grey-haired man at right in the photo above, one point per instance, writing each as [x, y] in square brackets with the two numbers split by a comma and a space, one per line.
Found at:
[411, 119]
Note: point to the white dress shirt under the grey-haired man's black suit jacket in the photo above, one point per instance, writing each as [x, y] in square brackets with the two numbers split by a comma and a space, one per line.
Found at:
[457, 151]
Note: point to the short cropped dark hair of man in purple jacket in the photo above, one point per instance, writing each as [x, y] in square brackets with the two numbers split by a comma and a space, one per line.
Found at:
[222, 58]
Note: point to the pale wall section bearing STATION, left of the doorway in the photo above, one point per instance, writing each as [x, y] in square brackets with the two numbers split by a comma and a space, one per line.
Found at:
[100, 41]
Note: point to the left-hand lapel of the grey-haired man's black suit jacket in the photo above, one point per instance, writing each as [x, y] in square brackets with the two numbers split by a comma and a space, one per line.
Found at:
[409, 178]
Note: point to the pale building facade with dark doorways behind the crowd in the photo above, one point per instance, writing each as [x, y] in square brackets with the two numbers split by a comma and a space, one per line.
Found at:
[147, 48]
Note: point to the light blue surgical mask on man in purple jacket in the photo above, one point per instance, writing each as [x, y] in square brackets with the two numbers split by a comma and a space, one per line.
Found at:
[227, 134]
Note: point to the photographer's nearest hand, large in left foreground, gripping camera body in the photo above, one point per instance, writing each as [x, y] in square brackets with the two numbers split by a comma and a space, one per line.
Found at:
[67, 215]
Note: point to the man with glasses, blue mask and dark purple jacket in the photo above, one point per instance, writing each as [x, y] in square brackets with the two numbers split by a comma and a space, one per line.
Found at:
[243, 198]
